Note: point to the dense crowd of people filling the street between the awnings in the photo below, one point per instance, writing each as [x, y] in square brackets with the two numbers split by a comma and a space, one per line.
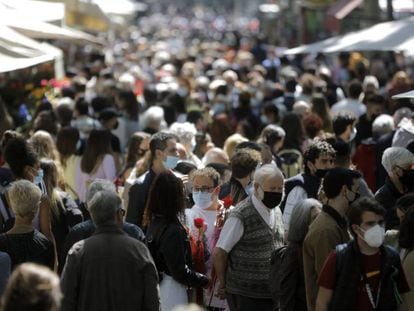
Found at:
[205, 167]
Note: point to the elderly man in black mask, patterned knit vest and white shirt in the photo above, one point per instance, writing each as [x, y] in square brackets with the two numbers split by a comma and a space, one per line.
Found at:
[253, 230]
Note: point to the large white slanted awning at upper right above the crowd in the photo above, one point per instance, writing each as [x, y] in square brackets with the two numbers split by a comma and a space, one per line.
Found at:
[389, 36]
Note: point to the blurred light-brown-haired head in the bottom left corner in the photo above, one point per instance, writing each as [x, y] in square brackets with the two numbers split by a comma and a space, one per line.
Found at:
[32, 287]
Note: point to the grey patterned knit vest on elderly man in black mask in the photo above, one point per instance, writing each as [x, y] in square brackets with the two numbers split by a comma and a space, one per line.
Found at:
[249, 261]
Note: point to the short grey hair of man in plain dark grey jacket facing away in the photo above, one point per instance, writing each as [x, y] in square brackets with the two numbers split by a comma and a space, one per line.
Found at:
[104, 206]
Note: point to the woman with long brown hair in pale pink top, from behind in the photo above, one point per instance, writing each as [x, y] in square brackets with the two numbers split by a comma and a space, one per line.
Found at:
[97, 161]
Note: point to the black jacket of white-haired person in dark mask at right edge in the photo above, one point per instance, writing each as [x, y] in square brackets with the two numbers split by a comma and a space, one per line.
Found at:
[387, 196]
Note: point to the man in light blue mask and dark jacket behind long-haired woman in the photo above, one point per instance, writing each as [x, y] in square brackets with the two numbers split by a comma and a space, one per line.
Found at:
[164, 156]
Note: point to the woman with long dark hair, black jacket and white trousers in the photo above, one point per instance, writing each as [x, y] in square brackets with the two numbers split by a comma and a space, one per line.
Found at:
[168, 241]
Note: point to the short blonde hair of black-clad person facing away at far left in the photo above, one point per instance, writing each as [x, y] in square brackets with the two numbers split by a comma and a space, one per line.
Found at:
[24, 197]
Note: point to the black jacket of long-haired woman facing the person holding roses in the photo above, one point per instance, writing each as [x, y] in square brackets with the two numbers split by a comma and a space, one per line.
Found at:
[170, 247]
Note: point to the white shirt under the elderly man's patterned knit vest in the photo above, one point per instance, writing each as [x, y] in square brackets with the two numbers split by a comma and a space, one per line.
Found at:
[233, 227]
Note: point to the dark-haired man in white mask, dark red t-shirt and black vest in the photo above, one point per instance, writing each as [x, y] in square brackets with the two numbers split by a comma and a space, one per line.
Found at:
[362, 275]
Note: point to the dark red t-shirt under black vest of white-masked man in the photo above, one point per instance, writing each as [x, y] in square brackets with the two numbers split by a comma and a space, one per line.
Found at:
[371, 265]
